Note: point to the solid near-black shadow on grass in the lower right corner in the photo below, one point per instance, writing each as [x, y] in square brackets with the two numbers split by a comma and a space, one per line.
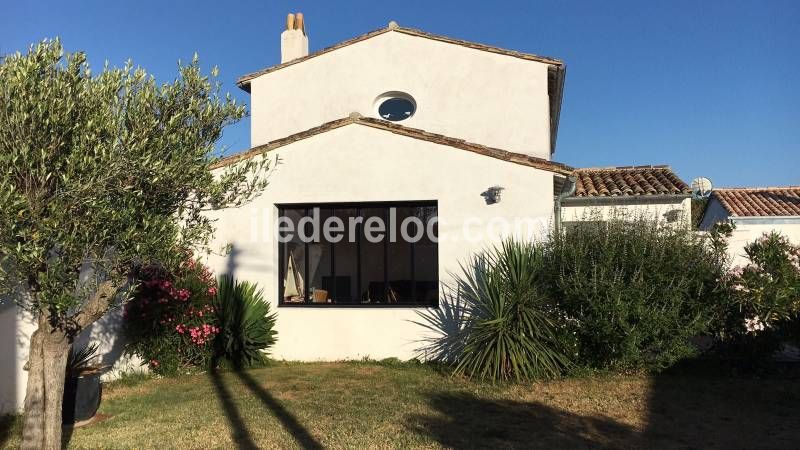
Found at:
[700, 403]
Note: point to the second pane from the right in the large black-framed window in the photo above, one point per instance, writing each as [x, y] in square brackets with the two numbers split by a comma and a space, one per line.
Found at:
[401, 279]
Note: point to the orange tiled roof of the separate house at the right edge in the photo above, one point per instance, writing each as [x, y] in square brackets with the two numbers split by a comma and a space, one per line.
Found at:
[760, 202]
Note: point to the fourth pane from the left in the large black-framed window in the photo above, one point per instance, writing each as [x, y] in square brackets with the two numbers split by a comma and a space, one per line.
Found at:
[373, 288]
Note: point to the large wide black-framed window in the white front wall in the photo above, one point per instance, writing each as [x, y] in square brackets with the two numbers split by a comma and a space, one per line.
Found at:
[360, 264]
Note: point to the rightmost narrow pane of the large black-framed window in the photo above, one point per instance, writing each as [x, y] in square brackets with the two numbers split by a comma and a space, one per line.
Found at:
[426, 258]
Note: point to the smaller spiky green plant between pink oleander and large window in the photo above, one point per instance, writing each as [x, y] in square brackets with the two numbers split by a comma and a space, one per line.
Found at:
[247, 327]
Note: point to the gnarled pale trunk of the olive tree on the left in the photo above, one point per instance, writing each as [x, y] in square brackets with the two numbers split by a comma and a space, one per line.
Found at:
[47, 365]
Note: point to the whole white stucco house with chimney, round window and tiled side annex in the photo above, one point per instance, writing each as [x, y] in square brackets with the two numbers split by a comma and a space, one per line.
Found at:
[446, 143]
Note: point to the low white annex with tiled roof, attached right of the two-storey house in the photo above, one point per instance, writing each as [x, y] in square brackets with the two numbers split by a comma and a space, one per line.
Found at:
[627, 192]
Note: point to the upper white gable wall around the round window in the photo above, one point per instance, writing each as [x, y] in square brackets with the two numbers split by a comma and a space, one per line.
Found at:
[469, 94]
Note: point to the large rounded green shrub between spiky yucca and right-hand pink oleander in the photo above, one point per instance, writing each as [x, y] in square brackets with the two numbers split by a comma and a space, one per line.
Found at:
[637, 291]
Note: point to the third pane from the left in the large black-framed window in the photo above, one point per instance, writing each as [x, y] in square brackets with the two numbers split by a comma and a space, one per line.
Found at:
[344, 287]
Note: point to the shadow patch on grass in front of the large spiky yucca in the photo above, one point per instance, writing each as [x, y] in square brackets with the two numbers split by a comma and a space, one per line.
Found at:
[463, 420]
